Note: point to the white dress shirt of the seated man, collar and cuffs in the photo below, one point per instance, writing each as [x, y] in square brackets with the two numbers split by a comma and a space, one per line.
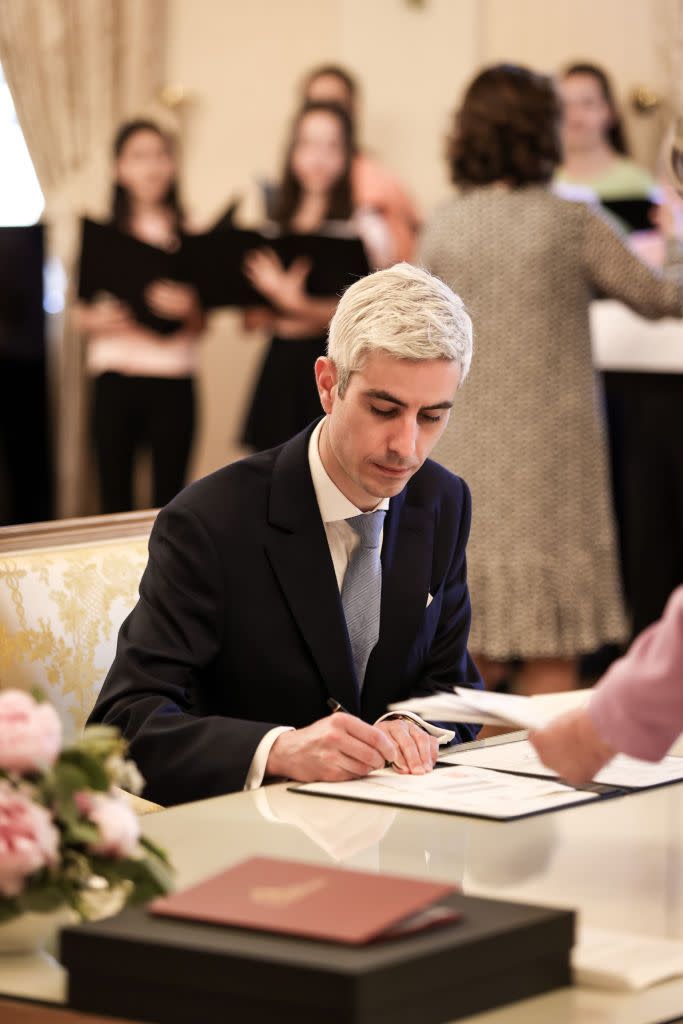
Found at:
[344, 540]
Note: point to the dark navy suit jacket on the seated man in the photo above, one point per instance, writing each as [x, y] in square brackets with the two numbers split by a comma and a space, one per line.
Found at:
[240, 625]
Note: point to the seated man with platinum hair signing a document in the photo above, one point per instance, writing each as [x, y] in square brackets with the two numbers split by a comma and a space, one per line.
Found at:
[327, 575]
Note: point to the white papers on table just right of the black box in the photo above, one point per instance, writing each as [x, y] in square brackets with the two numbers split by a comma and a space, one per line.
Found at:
[625, 962]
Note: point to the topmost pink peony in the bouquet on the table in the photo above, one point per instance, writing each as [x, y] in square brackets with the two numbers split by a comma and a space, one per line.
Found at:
[30, 734]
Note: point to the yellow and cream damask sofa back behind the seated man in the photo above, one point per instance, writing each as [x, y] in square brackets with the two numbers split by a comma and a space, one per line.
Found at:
[65, 589]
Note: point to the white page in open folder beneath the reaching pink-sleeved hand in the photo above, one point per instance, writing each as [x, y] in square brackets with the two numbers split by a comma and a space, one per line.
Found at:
[521, 757]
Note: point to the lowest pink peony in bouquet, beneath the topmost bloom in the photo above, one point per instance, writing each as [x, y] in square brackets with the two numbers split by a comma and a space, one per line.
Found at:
[29, 840]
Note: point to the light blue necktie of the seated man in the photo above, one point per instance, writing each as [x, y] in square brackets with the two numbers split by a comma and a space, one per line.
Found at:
[362, 590]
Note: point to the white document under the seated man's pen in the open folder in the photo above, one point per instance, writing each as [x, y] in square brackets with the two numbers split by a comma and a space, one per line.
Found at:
[459, 790]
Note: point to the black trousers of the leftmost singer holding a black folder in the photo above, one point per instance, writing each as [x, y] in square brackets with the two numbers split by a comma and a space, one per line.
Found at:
[136, 413]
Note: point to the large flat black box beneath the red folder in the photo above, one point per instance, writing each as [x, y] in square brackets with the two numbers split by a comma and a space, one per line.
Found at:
[144, 968]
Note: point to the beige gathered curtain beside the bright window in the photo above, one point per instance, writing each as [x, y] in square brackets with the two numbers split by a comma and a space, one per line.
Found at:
[76, 69]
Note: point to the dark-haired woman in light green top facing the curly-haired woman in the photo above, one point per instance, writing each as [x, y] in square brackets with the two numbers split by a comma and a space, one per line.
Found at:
[596, 155]
